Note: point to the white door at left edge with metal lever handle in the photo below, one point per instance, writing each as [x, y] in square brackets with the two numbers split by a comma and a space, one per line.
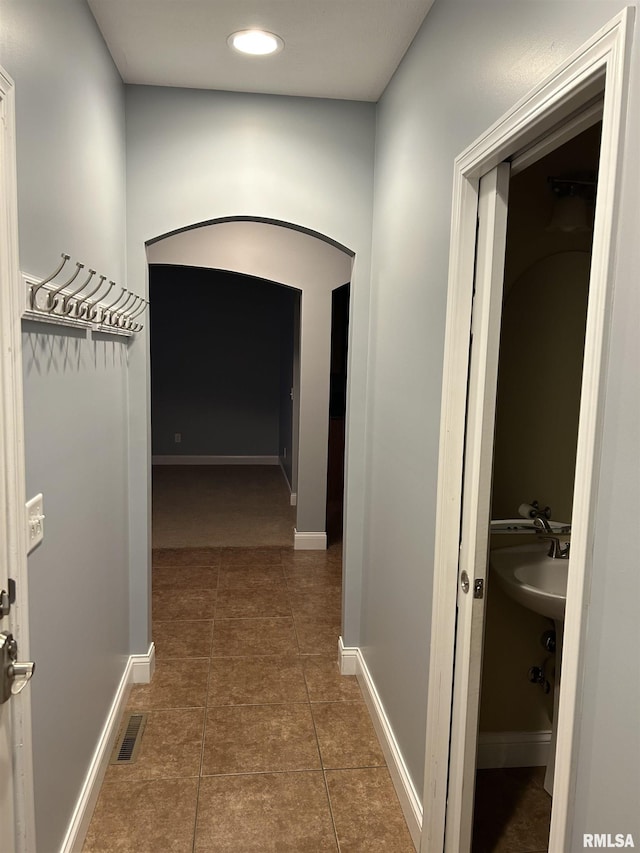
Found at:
[16, 812]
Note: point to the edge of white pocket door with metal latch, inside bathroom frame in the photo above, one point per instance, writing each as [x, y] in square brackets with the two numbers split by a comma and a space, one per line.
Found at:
[476, 498]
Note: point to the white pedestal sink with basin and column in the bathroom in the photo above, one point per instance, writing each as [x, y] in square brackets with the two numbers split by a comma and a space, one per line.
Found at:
[529, 576]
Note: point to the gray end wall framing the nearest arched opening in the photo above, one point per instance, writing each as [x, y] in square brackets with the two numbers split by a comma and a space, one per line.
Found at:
[192, 156]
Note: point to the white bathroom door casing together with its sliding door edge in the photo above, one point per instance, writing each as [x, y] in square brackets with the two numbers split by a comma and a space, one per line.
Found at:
[558, 109]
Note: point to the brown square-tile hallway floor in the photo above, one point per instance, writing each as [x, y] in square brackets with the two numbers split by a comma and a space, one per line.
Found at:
[254, 741]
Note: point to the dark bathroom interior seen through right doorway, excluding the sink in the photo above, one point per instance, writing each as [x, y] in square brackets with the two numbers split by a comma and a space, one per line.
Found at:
[544, 310]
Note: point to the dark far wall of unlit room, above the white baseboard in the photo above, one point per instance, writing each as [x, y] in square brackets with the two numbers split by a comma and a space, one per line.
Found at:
[217, 344]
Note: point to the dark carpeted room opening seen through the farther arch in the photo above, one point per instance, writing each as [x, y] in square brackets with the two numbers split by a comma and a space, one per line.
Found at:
[222, 368]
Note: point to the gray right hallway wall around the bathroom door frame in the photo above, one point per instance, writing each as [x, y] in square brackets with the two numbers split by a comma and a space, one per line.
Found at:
[468, 65]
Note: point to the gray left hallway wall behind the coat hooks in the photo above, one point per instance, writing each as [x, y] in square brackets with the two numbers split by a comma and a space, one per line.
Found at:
[71, 170]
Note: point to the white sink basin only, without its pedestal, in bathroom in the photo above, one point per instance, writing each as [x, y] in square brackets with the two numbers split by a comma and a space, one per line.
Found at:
[532, 578]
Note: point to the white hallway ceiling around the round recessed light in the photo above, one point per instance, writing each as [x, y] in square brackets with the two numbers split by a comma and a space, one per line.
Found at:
[345, 49]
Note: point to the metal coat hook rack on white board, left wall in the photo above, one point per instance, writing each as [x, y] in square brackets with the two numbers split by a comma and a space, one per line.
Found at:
[84, 306]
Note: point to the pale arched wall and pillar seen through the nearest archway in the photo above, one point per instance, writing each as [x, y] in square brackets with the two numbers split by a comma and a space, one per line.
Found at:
[281, 253]
